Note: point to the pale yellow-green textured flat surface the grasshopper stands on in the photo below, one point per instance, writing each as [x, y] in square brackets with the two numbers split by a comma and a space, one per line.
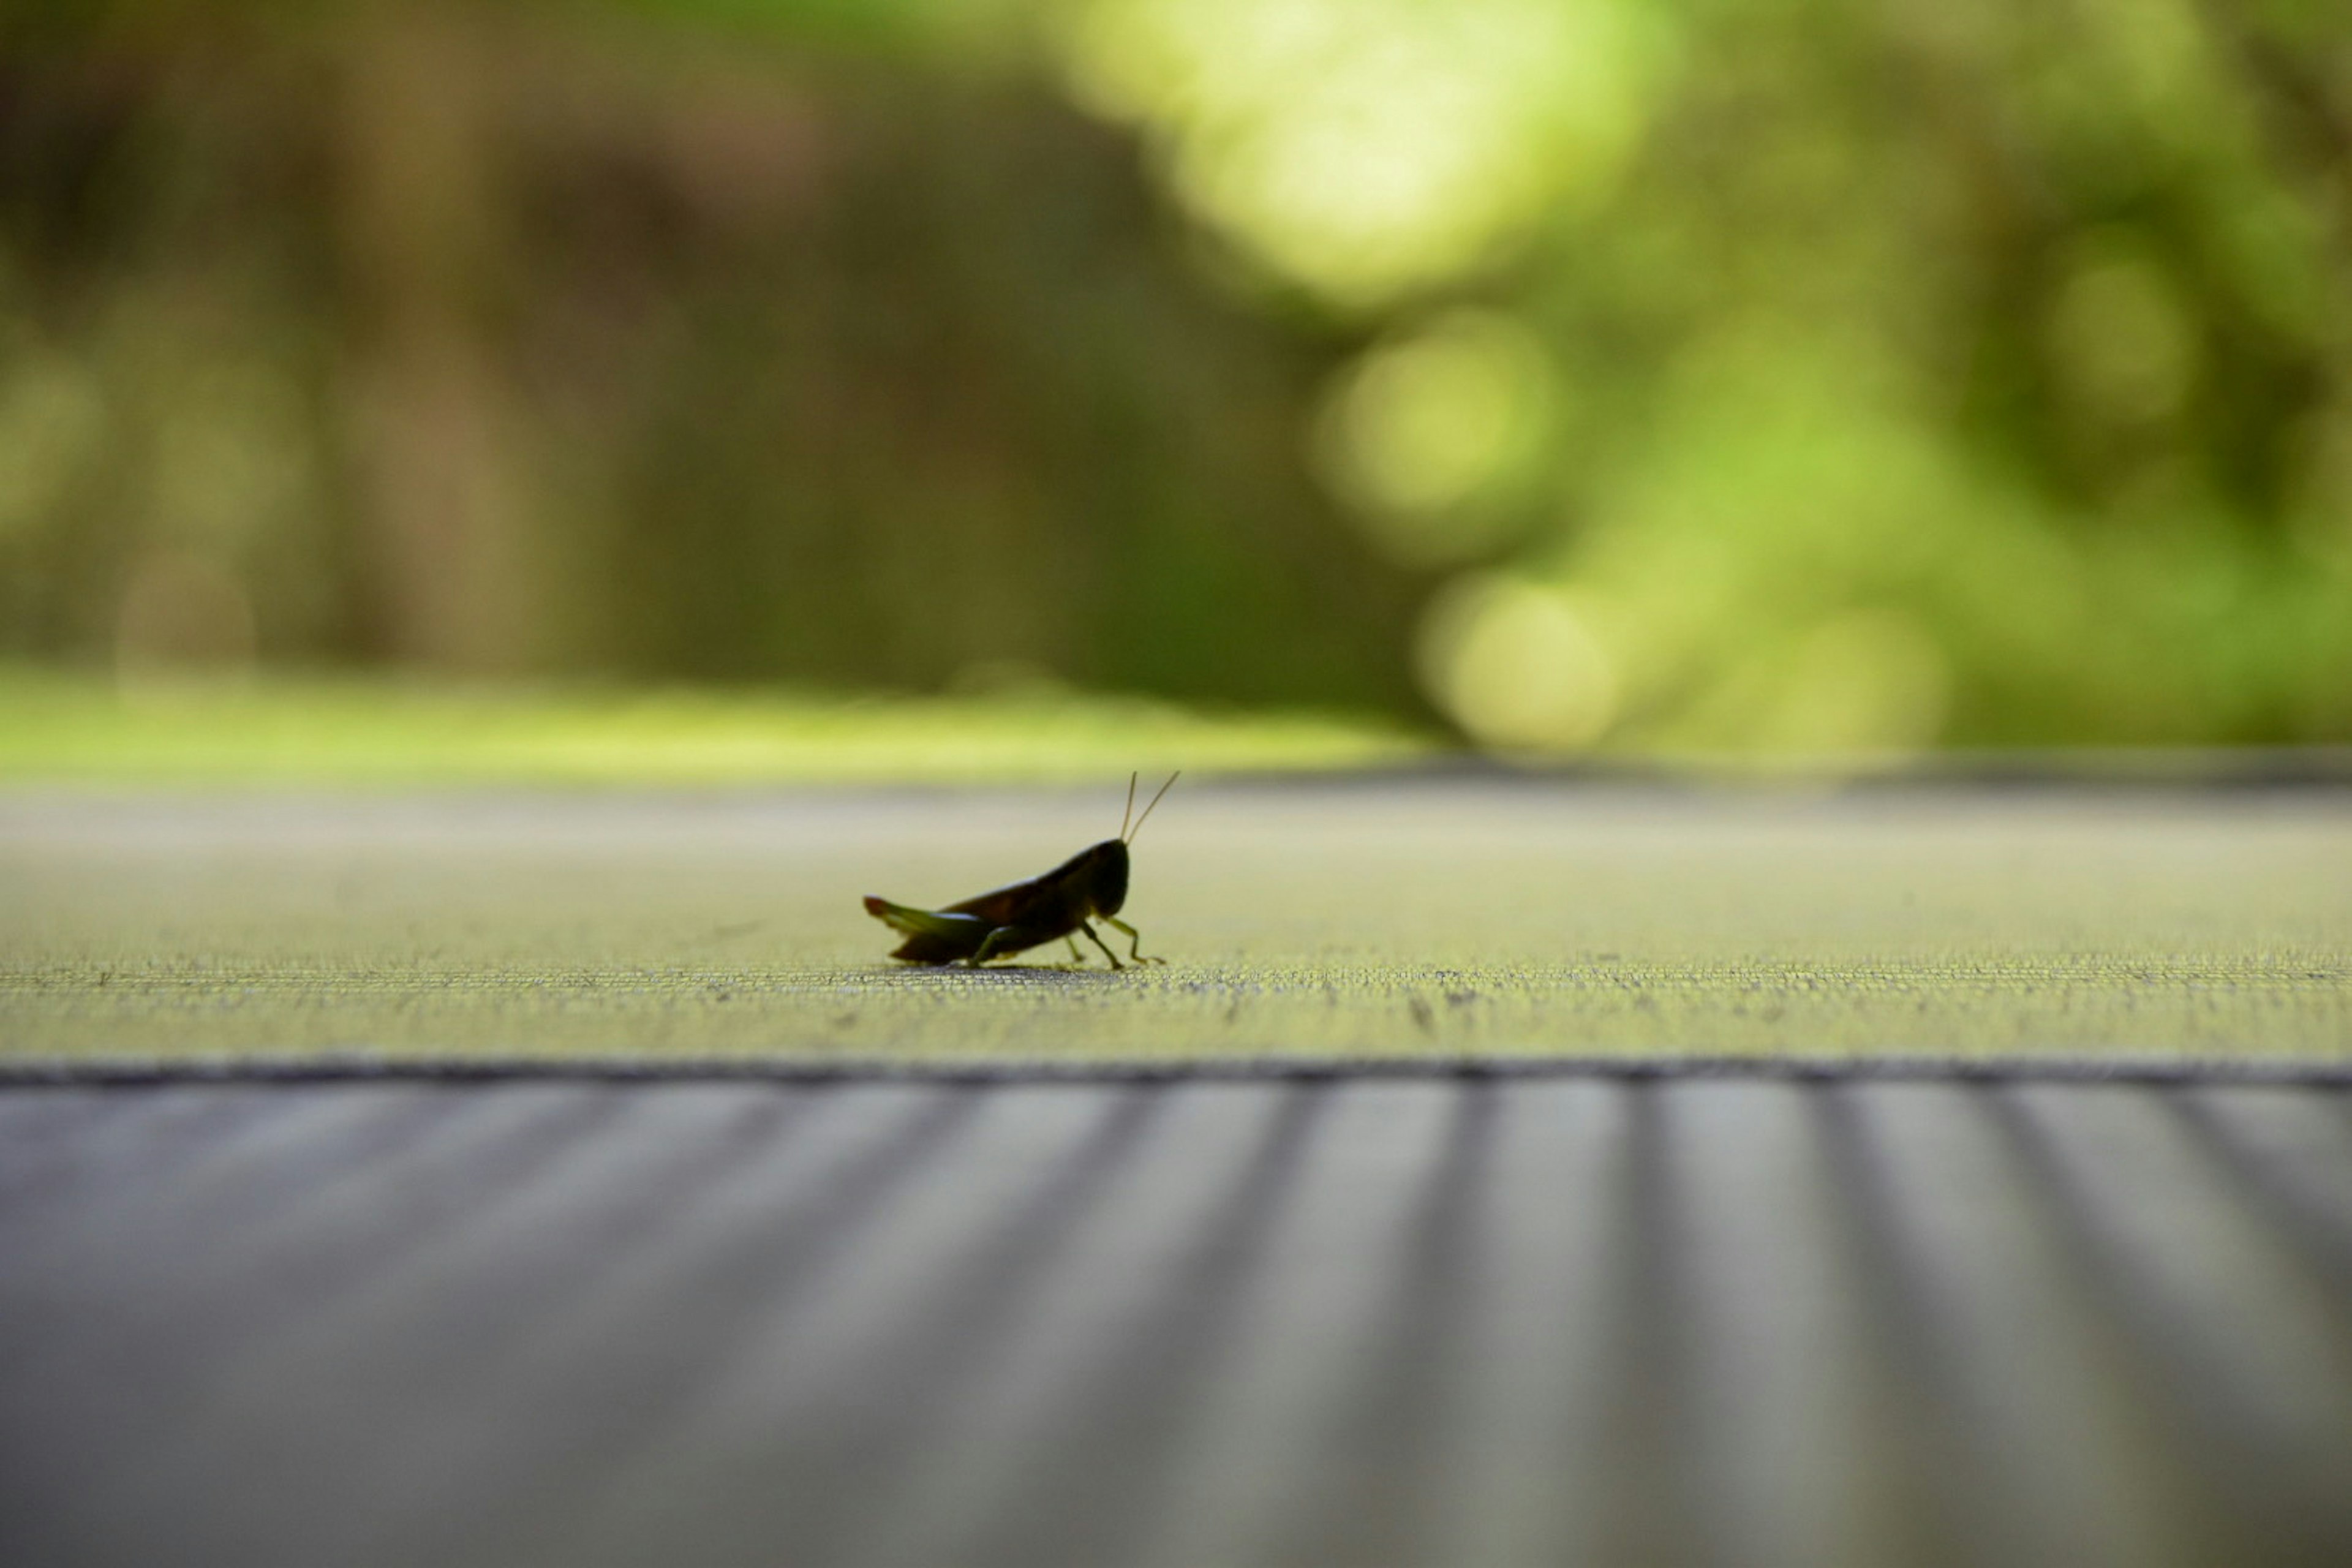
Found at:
[1365, 918]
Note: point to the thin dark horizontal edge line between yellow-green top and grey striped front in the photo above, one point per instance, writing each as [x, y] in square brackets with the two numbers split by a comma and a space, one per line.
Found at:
[695, 1071]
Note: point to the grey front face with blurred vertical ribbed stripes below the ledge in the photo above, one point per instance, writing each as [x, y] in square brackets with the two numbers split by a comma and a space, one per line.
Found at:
[1177, 1325]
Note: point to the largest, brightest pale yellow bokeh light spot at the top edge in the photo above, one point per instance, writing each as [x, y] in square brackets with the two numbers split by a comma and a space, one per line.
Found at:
[1368, 149]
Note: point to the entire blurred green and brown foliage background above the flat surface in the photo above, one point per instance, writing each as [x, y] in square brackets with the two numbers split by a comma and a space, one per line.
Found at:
[1563, 377]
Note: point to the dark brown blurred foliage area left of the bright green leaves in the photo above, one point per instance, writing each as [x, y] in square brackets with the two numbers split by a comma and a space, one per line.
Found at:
[679, 342]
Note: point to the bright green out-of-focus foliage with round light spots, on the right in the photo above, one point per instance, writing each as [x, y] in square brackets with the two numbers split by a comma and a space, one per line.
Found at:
[1793, 375]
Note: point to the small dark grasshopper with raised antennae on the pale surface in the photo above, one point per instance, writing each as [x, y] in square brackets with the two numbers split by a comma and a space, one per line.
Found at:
[1029, 913]
